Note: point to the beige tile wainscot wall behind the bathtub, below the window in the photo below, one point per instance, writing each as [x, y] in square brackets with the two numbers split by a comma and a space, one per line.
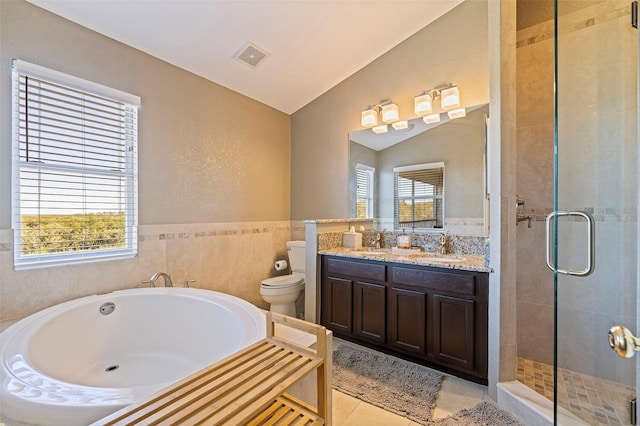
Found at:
[228, 257]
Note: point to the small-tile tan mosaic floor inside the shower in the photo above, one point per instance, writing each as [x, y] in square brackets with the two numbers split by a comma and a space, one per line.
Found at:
[596, 401]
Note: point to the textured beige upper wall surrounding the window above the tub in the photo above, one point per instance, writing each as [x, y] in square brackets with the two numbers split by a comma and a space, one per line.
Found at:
[205, 151]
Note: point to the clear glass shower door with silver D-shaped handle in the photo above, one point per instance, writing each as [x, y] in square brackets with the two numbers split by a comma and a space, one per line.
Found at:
[593, 231]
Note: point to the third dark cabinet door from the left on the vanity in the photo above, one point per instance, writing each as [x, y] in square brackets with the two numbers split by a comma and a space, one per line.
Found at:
[407, 310]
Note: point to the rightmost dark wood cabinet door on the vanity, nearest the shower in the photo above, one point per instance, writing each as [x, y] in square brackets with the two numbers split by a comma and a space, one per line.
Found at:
[454, 332]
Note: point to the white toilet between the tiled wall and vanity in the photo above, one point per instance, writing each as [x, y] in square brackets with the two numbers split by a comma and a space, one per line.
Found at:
[283, 291]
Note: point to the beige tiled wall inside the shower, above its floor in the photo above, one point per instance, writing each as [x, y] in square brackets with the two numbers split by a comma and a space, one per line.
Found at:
[587, 306]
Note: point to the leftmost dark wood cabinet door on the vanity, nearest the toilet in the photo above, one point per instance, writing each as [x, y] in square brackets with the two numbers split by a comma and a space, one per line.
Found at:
[337, 304]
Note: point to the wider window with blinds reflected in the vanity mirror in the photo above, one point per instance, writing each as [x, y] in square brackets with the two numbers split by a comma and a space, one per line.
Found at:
[419, 196]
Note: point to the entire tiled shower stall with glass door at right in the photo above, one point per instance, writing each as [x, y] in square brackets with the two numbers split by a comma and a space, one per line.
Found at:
[577, 162]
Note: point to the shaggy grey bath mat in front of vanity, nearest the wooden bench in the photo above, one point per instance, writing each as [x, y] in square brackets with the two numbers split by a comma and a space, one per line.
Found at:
[401, 387]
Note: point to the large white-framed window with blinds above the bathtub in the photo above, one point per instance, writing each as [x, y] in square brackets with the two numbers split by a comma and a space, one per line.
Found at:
[74, 169]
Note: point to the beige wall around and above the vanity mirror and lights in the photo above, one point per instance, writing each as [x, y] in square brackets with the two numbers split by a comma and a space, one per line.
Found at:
[453, 49]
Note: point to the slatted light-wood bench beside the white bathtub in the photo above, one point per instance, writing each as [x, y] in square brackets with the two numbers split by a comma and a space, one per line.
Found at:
[247, 388]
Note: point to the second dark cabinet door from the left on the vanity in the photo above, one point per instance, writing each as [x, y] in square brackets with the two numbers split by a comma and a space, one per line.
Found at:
[370, 311]
